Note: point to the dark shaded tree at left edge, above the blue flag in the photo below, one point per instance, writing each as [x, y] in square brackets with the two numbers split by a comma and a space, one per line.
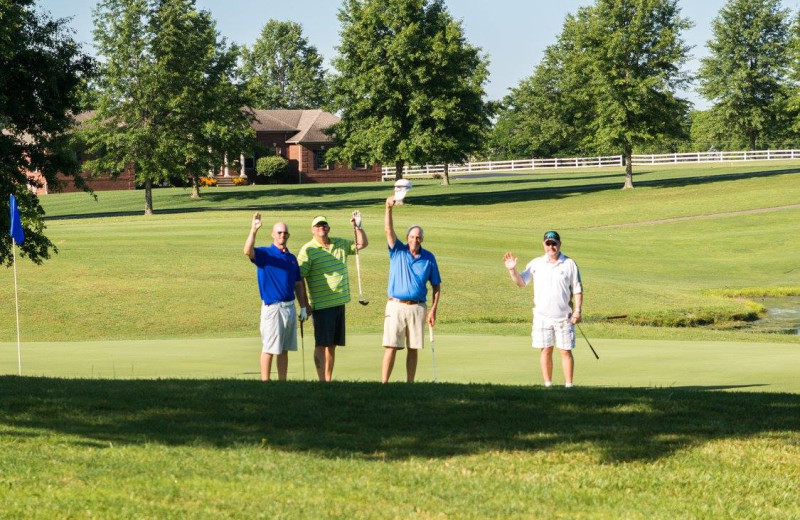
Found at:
[41, 70]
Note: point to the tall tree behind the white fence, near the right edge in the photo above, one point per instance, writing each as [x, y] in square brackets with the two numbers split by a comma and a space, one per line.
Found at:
[746, 70]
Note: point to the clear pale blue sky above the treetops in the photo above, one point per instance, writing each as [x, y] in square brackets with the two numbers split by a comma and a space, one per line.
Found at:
[514, 33]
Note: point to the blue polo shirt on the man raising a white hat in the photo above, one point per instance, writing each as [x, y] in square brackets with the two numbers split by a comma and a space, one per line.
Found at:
[408, 275]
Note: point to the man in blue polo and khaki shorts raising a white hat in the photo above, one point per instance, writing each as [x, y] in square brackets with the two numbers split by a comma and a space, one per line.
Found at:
[410, 269]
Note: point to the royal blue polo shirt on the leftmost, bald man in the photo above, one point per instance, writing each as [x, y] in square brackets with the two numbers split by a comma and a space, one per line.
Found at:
[277, 273]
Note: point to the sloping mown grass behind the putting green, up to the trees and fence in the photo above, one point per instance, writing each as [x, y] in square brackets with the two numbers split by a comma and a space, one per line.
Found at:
[663, 253]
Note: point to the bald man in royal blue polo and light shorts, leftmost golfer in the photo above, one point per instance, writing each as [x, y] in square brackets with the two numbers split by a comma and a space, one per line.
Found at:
[278, 283]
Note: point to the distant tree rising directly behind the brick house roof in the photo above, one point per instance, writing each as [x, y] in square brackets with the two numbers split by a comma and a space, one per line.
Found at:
[283, 71]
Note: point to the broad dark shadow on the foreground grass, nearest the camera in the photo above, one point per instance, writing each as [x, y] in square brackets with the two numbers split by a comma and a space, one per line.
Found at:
[373, 421]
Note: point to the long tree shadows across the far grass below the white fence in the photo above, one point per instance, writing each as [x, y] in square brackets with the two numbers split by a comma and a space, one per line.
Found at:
[522, 188]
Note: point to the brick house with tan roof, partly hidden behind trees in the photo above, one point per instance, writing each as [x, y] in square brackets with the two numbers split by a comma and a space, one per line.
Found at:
[296, 135]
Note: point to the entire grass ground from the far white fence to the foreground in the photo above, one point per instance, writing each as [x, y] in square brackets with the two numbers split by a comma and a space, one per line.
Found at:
[140, 394]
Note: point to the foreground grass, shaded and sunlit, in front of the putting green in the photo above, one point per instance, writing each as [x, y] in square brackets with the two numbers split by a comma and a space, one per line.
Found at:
[236, 449]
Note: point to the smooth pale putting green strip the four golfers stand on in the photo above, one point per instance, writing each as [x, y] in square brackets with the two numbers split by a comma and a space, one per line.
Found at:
[768, 367]
